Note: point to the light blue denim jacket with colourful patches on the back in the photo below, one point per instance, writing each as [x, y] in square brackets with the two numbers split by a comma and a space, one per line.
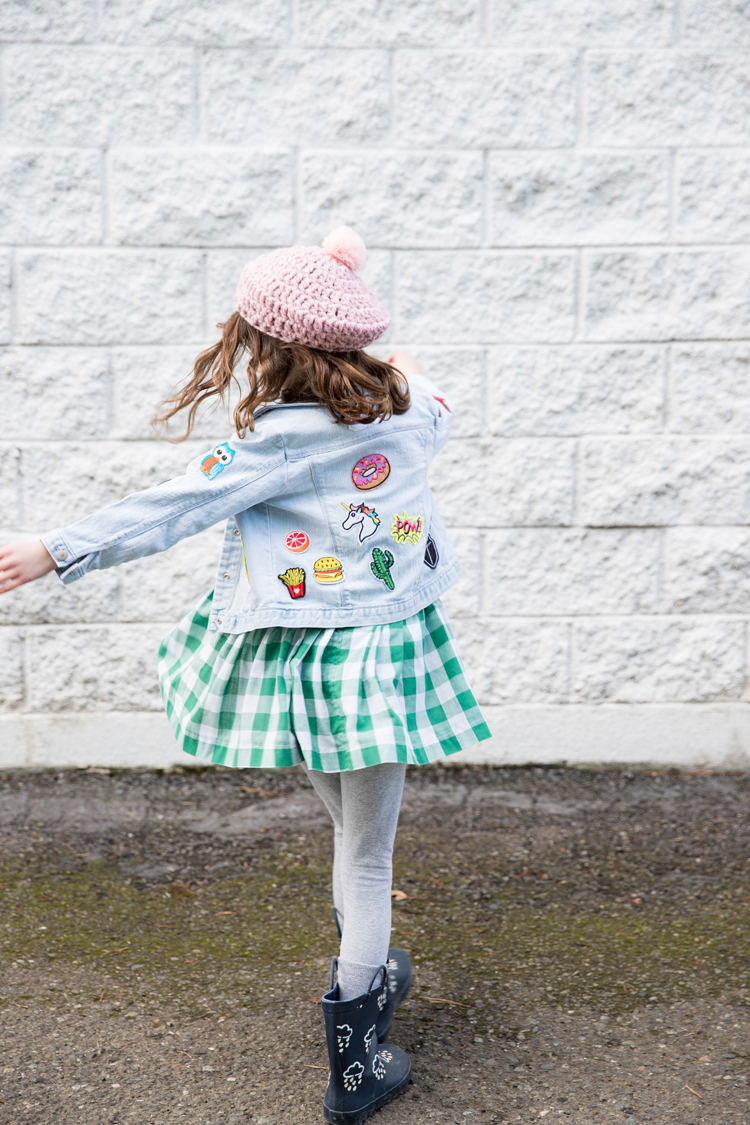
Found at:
[329, 525]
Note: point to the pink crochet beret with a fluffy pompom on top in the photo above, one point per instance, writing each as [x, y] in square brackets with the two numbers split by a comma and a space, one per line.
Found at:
[311, 295]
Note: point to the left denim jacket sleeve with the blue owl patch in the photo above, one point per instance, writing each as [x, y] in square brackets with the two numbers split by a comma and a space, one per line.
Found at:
[236, 475]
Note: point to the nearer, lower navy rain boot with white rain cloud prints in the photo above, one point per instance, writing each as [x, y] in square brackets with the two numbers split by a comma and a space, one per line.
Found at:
[363, 1075]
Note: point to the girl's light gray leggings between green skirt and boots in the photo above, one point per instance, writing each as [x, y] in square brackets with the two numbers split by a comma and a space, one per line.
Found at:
[365, 807]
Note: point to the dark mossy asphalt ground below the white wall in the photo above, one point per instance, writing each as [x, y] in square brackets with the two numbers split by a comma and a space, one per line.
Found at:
[582, 943]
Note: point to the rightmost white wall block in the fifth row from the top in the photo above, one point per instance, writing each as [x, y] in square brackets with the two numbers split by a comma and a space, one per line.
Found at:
[711, 389]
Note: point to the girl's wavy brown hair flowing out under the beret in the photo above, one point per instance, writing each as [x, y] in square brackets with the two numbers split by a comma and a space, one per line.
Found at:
[355, 388]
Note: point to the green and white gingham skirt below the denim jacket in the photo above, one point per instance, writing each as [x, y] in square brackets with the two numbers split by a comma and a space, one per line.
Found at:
[335, 699]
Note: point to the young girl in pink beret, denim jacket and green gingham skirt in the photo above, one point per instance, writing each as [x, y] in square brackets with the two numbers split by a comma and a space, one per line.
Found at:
[324, 643]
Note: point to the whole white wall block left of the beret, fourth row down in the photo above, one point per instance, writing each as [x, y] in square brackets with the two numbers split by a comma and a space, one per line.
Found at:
[116, 298]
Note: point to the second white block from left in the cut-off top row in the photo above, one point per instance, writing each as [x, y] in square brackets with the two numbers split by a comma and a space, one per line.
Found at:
[201, 23]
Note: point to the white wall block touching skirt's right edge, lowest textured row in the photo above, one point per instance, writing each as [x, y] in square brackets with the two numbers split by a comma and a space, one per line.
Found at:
[516, 662]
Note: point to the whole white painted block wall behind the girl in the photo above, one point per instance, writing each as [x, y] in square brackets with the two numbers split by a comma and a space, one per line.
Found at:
[556, 195]
